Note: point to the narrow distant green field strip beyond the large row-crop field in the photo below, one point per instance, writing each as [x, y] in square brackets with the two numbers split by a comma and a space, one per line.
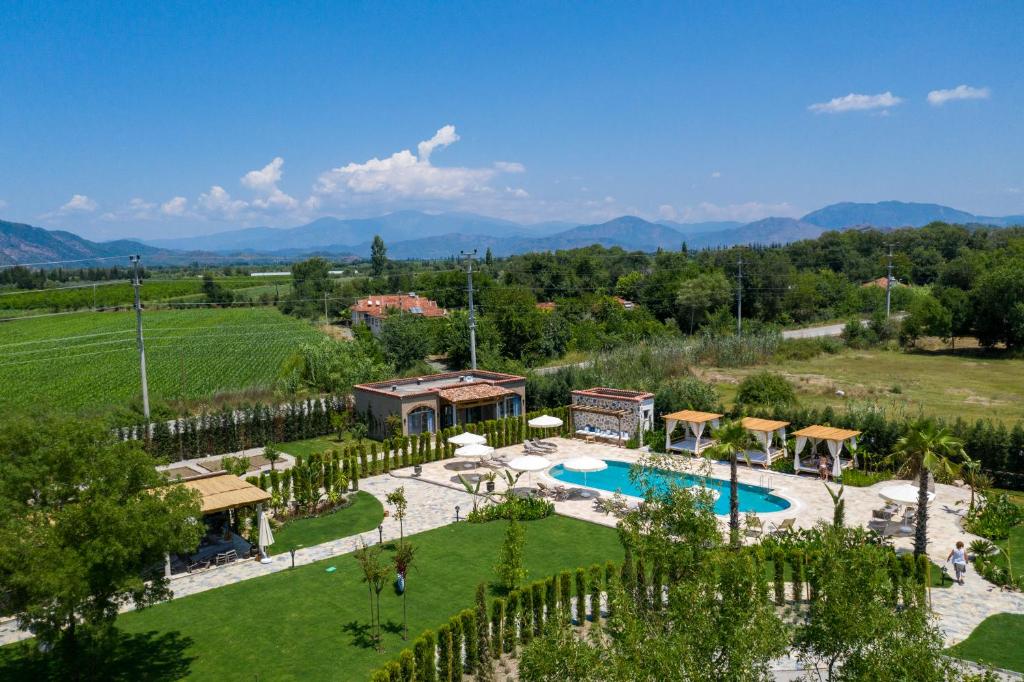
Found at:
[75, 296]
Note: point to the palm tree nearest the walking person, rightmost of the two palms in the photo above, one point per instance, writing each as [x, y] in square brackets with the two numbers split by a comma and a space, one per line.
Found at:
[927, 449]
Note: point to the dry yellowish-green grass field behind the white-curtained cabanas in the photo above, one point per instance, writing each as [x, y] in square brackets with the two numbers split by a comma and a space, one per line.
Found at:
[971, 385]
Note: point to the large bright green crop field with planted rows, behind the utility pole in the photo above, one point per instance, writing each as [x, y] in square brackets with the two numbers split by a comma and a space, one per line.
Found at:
[90, 362]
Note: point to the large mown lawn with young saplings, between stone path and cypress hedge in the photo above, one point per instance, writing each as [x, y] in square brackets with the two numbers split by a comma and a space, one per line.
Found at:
[308, 624]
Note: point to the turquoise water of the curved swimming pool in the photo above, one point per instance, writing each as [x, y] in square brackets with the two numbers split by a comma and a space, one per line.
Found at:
[617, 478]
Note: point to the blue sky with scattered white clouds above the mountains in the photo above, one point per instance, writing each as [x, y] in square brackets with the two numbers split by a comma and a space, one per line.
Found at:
[167, 119]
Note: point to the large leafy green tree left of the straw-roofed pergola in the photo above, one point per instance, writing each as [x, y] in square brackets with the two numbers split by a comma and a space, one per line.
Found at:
[86, 525]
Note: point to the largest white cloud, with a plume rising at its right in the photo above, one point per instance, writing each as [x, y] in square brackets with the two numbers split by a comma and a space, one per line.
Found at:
[404, 176]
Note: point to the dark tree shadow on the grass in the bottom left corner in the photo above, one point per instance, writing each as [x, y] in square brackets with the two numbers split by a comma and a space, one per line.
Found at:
[118, 657]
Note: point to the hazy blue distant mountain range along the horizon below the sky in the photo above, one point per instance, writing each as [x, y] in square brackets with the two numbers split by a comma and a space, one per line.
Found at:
[417, 235]
